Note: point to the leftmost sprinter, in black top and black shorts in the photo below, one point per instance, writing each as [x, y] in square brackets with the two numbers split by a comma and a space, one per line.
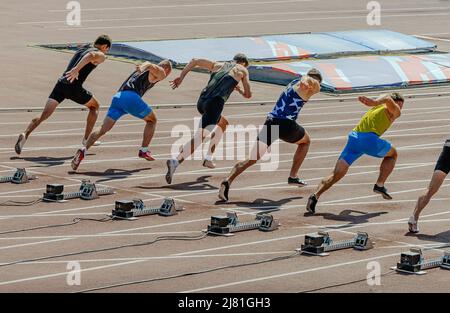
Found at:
[70, 86]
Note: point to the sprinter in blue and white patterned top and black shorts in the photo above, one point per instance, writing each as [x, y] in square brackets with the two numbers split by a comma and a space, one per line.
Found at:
[281, 123]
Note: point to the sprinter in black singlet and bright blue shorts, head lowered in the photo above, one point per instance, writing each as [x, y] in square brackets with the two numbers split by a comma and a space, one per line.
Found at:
[128, 100]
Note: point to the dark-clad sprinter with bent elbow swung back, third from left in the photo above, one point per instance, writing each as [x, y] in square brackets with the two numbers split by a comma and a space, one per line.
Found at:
[225, 78]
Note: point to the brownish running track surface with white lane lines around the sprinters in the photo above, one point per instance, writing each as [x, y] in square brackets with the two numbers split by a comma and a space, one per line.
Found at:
[28, 74]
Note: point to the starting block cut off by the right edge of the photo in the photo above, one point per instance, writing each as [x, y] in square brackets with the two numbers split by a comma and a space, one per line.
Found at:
[413, 262]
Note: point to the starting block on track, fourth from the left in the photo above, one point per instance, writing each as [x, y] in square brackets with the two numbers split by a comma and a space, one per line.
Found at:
[226, 225]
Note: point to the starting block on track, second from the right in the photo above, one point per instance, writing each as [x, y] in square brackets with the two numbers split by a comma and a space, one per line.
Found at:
[321, 243]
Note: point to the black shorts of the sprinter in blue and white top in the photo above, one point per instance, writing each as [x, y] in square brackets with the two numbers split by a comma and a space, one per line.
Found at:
[288, 130]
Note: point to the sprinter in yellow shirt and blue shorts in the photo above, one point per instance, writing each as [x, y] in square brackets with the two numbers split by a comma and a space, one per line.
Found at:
[365, 139]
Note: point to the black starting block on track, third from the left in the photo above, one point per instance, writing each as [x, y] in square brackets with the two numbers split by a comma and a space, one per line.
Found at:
[131, 210]
